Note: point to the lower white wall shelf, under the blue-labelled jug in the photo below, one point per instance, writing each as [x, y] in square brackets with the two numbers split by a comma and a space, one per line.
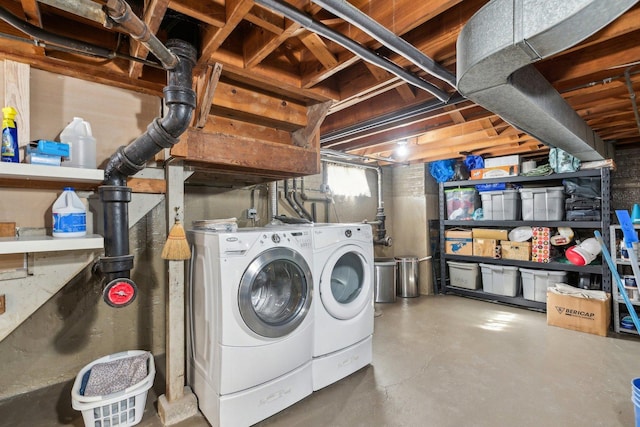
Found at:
[16, 245]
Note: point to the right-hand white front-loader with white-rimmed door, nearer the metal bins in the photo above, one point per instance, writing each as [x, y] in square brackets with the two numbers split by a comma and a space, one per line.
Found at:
[343, 303]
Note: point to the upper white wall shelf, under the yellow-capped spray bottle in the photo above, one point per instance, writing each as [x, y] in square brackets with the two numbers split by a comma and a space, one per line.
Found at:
[26, 171]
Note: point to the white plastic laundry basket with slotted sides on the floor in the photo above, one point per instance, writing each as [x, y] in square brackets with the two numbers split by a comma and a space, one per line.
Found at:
[123, 408]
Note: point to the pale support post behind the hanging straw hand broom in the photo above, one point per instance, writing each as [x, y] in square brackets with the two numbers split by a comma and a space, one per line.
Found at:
[178, 403]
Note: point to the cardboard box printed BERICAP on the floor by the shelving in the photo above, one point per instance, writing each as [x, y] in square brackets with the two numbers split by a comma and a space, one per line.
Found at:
[579, 314]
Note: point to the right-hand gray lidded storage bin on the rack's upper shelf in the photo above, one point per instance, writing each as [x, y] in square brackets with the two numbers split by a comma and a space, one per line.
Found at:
[542, 204]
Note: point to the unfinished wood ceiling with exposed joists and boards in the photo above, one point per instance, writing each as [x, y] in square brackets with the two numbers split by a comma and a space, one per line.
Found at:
[372, 110]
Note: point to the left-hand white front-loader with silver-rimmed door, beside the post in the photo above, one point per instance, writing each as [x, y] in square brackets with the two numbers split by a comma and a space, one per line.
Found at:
[250, 331]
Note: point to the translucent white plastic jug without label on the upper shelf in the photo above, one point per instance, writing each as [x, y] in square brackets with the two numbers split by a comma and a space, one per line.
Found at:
[82, 144]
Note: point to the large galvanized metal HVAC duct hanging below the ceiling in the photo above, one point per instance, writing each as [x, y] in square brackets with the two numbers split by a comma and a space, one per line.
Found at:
[495, 50]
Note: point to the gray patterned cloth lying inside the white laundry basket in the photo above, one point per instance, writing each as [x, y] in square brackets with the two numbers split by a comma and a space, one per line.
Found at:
[117, 375]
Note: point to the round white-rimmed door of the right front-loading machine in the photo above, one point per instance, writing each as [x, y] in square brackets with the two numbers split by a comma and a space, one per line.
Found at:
[345, 283]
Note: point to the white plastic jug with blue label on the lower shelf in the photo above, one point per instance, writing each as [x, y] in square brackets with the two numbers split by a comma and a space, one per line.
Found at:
[69, 215]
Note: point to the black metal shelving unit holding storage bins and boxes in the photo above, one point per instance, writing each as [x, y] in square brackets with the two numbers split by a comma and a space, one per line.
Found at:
[602, 225]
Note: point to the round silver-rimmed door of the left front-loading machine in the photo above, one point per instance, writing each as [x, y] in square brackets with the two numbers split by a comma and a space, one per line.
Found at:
[275, 292]
